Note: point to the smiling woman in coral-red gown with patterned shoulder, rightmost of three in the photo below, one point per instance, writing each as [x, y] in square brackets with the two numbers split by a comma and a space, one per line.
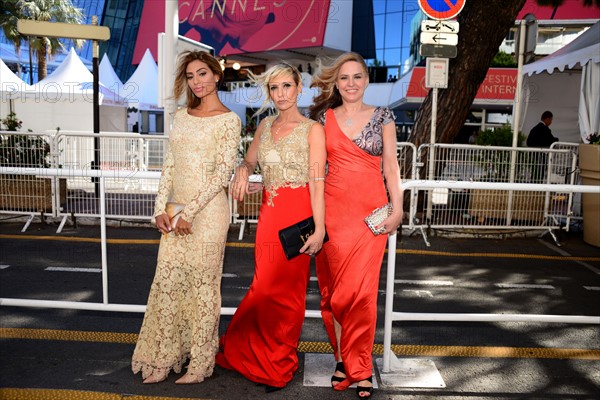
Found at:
[360, 139]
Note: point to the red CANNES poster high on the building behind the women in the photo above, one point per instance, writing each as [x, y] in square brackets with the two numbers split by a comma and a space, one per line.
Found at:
[239, 26]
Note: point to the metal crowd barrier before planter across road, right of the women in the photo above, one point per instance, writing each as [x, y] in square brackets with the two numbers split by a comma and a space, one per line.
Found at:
[501, 209]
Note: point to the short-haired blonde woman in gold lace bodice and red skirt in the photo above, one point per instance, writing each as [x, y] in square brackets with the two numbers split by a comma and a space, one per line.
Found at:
[262, 339]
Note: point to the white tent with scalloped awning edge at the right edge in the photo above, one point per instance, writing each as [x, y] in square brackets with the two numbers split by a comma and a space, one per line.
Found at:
[567, 82]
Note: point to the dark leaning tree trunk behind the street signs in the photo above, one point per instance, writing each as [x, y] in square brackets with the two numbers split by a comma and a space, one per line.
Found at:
[483, 26]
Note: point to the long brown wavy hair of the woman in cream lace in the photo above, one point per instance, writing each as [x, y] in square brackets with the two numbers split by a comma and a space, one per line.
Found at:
[181, 85]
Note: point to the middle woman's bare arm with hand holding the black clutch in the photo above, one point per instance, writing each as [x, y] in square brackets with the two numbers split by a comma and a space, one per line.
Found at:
[316, 160]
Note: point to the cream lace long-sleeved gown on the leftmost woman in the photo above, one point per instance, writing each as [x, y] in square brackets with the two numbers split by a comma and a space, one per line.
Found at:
[183, 309]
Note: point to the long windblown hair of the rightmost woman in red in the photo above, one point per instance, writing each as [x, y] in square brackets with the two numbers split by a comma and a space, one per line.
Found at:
[325, 81]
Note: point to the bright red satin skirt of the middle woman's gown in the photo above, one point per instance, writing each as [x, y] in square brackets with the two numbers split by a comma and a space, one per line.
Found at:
[261, 341]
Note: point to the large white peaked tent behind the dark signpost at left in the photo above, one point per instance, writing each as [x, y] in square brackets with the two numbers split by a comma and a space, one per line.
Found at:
[64, 99]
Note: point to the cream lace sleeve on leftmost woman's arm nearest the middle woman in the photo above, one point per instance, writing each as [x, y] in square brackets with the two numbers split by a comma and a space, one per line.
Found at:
[217, 174]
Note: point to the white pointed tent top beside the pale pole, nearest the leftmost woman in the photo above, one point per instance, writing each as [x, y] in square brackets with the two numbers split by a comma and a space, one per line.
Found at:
[142, 87]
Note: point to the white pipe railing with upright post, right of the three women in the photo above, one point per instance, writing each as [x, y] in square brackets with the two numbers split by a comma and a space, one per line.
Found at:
[391, 315]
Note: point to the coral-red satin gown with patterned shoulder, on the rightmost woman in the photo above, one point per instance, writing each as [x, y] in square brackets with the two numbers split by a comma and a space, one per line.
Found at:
[348, 266]
